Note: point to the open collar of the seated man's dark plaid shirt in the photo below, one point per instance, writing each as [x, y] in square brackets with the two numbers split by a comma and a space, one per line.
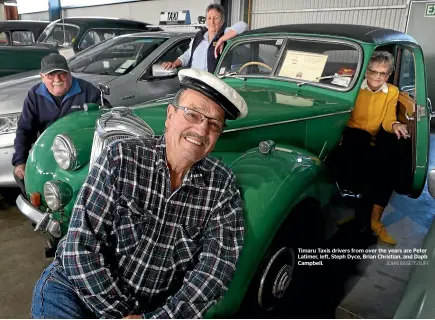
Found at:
[195, 174]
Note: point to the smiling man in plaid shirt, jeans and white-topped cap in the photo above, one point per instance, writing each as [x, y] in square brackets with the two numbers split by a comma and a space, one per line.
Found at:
[157, 228]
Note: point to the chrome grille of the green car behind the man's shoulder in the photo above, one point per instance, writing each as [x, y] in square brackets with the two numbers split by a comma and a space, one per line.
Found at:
[117, 124]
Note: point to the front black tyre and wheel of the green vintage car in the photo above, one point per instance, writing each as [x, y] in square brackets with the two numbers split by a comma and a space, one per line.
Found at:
[279, 276]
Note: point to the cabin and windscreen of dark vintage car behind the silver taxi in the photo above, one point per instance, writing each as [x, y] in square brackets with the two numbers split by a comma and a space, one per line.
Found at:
[74, 34]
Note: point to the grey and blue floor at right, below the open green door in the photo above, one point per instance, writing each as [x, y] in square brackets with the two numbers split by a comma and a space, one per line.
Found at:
[379, 289]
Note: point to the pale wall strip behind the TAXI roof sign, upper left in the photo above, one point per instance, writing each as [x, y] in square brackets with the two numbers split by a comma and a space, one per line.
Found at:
[147, 11]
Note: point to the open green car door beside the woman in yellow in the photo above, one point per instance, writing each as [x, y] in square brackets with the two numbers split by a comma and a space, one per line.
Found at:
[413, 110]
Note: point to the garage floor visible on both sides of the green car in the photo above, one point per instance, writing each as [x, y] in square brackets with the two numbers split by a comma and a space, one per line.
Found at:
[360, 290]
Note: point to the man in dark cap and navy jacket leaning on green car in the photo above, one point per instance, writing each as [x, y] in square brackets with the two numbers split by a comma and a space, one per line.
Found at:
[59, 94]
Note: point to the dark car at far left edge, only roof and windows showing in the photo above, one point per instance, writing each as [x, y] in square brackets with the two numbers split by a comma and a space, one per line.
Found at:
[21, 32]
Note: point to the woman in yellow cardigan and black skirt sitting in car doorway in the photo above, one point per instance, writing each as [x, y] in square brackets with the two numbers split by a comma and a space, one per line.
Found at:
[366, 150]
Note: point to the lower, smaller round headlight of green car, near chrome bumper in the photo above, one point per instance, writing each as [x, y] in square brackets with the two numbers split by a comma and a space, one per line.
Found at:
[57, 194]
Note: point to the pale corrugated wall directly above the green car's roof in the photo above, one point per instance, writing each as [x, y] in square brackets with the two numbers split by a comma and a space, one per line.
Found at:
[381, 13]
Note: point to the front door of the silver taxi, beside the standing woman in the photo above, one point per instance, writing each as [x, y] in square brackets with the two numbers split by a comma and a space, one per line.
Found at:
[150, 87]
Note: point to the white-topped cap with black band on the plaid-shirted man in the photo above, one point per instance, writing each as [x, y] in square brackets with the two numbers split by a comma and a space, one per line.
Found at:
[215, 89]
